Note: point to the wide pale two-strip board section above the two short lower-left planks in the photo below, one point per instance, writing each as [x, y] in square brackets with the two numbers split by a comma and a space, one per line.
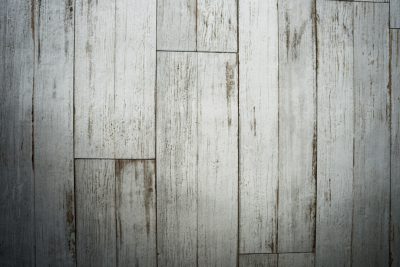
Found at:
[115, 79]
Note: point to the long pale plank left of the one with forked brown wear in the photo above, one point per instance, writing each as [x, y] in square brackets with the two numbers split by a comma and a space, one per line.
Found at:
[258, 125]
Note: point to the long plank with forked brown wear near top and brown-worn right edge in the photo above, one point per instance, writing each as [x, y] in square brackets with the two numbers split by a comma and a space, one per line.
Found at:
[297, 126]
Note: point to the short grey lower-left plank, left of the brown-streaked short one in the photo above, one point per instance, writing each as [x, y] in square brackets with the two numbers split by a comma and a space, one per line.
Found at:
[95, 208]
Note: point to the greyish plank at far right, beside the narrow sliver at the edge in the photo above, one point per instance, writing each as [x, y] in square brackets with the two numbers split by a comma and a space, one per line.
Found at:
[371, 188]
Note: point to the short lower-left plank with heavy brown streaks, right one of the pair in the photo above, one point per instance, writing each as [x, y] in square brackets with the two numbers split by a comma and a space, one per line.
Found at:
[136, 213]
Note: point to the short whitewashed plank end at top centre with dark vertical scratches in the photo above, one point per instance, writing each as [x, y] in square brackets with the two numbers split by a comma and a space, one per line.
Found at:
[217, 25]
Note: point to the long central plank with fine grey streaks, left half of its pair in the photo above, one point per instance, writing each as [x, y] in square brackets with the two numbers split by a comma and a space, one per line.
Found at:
[177, 158]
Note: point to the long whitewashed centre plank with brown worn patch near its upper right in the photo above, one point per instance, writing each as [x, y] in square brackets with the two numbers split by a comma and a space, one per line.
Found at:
[217, 159]
